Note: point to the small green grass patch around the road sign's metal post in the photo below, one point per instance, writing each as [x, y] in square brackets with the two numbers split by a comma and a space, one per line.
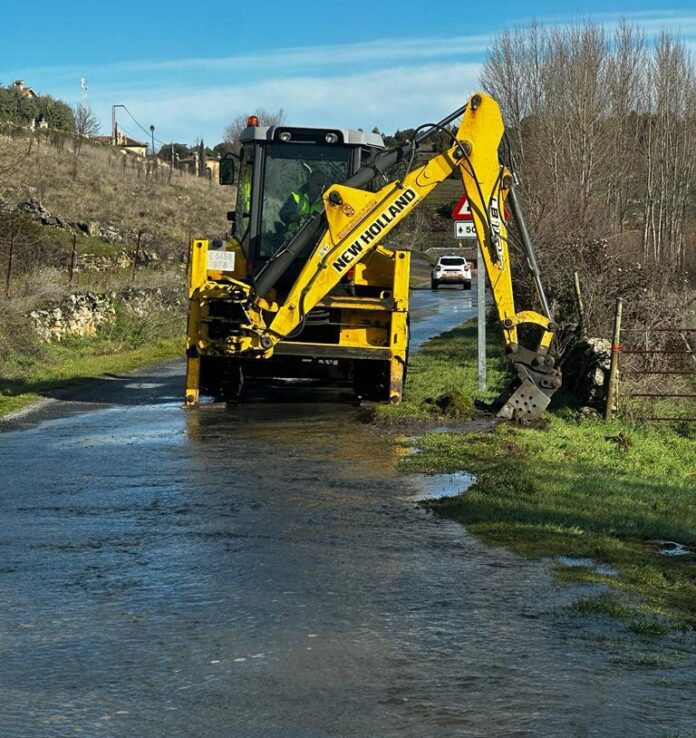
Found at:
[442, 380]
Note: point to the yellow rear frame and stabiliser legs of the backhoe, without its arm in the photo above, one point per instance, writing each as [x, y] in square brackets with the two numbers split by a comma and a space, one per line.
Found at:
[372, 331]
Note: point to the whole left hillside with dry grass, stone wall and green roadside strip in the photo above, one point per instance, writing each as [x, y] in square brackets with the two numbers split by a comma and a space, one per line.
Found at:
[118, 302]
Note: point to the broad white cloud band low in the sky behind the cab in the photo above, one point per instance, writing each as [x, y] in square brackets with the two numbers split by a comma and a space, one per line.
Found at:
[390, 98]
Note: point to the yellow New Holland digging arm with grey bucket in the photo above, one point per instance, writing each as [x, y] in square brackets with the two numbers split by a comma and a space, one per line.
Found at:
[355, 221]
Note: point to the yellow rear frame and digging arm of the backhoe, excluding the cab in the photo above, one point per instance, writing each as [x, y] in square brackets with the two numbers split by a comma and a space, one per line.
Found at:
[346, 243]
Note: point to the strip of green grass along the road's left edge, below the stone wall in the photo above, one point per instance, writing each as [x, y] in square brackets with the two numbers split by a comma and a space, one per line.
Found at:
[128, 344]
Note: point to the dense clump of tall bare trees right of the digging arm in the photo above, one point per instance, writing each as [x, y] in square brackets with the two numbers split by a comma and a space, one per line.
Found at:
[603, 132]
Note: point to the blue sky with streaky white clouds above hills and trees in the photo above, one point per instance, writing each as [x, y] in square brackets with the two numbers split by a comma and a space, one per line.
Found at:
[191, 69]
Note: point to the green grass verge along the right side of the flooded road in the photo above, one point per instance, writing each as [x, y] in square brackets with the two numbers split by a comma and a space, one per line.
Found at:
[571, 487]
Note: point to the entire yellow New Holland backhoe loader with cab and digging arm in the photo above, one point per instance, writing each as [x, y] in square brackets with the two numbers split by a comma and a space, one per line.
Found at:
[304, 288]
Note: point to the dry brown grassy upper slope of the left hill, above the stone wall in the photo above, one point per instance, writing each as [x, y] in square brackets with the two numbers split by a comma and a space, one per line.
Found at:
[84, 182]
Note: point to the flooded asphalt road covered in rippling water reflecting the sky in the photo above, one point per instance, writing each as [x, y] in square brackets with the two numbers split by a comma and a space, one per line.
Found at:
[262, 572]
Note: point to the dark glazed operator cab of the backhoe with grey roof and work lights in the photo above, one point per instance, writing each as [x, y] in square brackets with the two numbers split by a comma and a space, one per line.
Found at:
[277, 161]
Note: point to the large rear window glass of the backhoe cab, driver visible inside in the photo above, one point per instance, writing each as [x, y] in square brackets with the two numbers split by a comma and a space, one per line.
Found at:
[295, 175]
